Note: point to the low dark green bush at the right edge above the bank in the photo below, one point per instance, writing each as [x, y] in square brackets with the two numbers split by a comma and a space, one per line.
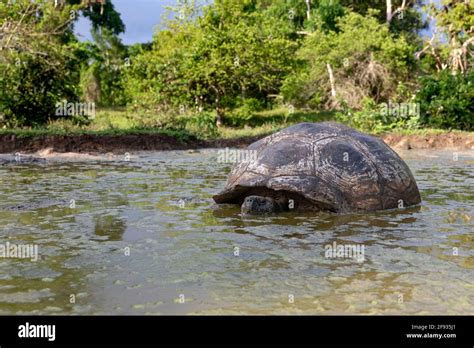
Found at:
[447, 101]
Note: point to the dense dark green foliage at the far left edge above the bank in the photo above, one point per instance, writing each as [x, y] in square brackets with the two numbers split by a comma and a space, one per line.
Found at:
[35, 64]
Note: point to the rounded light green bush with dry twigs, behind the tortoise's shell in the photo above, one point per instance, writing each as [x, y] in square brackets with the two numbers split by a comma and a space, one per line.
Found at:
[367, 61]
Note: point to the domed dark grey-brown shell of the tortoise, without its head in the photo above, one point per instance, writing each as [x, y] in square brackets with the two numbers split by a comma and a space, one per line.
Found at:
[332, 166]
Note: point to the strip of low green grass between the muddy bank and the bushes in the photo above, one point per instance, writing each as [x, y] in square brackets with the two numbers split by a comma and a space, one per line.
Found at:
[121, 122]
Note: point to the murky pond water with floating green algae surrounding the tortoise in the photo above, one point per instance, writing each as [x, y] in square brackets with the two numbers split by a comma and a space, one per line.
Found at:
[144, 237]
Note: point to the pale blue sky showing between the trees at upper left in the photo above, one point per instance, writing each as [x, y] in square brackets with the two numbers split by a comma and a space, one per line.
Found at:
[140, 18]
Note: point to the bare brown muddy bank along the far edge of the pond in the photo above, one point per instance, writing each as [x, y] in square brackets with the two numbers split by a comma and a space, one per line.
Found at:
[160, 142]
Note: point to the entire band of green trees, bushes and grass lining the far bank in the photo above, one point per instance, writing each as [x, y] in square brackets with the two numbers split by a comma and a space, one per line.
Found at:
[237, 68]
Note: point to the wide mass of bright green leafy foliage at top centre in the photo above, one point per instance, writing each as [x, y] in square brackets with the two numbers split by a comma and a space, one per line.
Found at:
[232, 50]
